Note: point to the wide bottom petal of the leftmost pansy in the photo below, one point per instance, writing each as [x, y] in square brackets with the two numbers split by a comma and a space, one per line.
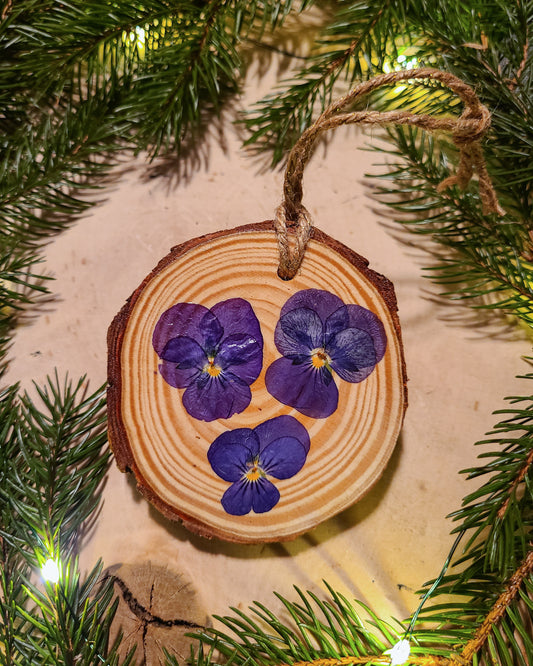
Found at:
[218, 398]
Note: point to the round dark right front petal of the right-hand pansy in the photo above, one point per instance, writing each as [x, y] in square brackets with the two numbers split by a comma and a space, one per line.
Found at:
[352, 354]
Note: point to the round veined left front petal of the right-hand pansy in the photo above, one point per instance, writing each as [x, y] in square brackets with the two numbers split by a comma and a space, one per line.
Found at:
[299, 331]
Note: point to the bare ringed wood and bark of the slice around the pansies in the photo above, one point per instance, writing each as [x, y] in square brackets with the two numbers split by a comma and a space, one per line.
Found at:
[153, 436]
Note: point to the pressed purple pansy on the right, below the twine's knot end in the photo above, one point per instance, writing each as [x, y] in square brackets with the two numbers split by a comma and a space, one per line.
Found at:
[319, 335]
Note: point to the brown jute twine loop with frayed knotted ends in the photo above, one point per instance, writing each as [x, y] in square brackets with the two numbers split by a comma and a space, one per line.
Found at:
[467, 131]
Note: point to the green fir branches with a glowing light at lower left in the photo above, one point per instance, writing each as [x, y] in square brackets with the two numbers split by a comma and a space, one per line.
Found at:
[53, 460]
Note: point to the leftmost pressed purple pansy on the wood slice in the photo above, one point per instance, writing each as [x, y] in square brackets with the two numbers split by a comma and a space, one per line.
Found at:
[213, 353]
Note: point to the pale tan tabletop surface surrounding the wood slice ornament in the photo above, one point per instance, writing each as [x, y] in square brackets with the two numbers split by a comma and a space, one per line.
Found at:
[397, 537]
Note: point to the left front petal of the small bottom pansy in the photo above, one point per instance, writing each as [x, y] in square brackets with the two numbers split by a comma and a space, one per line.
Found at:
[230, 452]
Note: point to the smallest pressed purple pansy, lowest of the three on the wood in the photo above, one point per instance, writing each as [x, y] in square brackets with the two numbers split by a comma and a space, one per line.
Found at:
[246, 458]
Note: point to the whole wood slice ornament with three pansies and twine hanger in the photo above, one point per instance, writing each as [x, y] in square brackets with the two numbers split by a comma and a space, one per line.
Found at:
[251, 401]
